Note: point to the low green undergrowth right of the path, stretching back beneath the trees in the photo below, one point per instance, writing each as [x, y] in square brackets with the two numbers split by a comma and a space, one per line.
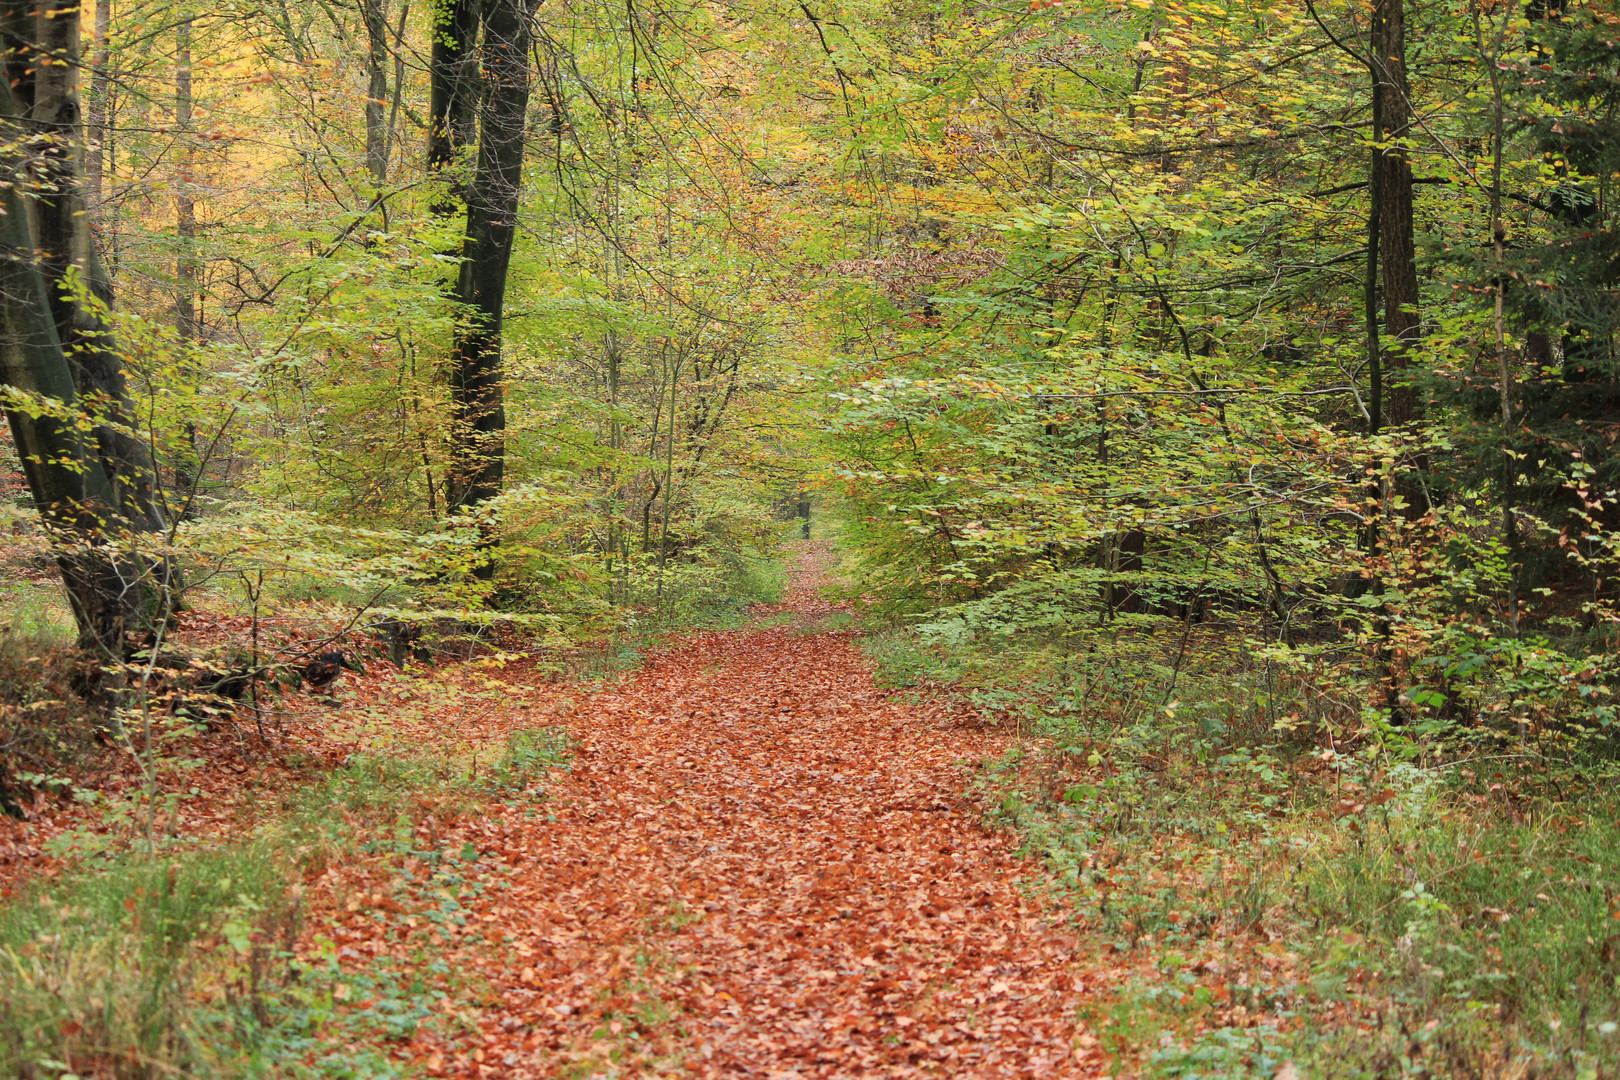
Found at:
[1279, 903]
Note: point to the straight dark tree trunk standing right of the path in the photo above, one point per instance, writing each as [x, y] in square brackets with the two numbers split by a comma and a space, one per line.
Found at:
[1394, 190]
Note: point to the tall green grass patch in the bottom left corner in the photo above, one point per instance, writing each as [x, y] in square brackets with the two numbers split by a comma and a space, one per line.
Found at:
[185, 967]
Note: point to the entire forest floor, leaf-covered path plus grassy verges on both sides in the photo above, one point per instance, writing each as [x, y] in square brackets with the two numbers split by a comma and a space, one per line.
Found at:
[736, 854]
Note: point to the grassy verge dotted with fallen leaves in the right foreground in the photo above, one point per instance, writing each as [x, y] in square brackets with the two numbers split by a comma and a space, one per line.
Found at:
[1436, 933]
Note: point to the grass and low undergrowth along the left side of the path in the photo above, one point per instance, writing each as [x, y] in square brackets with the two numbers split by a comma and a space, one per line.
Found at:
[189, 961]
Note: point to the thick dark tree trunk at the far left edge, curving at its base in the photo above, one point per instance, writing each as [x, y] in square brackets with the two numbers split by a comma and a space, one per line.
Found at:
[96, 490]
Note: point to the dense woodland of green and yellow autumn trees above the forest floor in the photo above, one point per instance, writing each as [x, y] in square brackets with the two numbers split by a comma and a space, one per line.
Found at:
[1083, 318]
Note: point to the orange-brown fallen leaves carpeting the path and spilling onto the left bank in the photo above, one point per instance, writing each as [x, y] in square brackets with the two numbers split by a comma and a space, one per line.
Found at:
[757, 864]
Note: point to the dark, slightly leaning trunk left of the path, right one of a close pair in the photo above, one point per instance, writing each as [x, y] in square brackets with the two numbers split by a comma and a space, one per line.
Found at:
[477, 412]
